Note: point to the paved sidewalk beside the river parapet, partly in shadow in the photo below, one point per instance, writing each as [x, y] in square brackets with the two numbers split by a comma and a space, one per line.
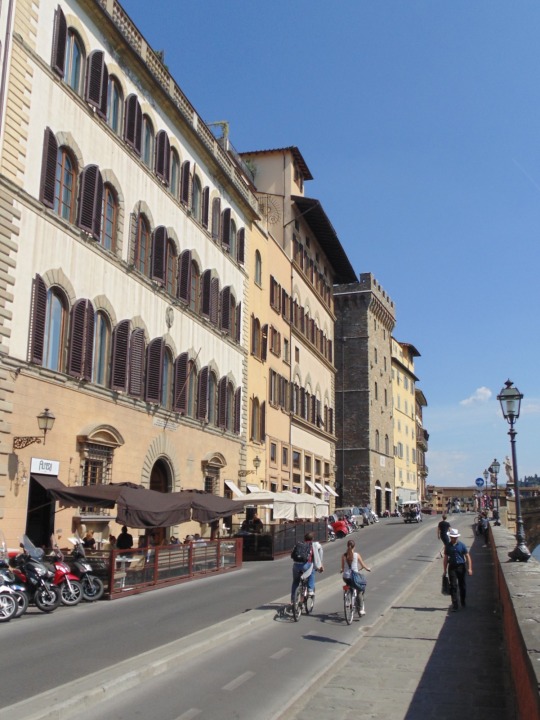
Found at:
[421, 661]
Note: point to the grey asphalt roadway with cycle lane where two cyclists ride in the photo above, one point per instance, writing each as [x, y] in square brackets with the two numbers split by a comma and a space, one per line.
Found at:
[231, 672]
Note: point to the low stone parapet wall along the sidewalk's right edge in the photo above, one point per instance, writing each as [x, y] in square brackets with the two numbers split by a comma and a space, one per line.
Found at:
[518, 586]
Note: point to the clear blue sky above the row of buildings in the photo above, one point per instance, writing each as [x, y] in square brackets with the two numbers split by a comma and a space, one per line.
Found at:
[420, 122]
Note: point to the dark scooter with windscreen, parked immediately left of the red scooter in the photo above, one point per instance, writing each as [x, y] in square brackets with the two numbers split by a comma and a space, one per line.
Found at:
[36, 577]
